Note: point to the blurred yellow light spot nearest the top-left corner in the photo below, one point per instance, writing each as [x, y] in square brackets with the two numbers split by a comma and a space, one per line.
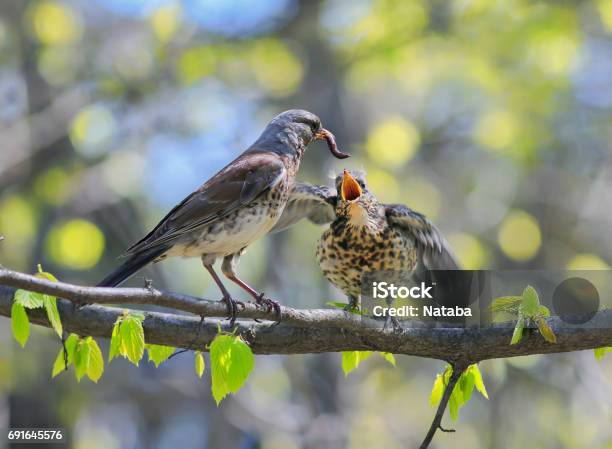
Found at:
[55, 23]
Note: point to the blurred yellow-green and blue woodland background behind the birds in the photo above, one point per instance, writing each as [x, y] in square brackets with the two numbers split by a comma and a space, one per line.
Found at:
[492, 117]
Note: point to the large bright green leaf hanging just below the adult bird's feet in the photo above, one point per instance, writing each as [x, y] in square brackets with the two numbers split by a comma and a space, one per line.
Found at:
[232, 361]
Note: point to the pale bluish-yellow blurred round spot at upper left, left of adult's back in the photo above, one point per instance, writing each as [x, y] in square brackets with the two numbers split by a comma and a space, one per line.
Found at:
[91, 129]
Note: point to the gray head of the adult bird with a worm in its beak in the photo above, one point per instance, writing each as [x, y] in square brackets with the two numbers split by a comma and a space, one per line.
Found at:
[290, 132]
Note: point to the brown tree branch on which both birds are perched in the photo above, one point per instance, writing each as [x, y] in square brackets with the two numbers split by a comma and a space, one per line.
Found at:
[301, 331]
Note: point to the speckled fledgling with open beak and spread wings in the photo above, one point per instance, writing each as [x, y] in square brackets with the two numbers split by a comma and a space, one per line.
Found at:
[365, 235]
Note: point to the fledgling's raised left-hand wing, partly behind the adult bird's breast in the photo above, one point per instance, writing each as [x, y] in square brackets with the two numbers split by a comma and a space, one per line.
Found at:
[308, 201]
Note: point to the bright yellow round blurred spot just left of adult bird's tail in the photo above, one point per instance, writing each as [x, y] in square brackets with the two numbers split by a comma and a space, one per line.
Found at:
[76, 244]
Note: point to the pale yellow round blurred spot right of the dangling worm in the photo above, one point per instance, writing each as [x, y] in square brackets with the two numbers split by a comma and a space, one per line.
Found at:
[393, 142]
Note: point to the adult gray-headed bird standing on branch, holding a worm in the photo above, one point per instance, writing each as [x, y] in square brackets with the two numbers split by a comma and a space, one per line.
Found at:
[235, 207]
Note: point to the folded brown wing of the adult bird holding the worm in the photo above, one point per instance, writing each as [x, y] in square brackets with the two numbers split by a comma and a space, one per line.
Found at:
[238, 184]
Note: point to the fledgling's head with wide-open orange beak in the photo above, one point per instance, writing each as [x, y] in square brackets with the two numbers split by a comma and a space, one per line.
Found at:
[355, 202]
